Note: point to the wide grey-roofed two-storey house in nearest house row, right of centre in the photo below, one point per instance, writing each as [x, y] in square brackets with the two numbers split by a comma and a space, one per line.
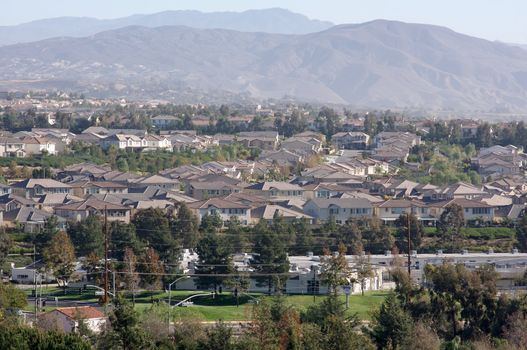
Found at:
[341, 209]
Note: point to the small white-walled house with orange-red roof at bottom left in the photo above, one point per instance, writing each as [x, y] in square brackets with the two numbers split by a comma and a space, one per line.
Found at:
[67, 319]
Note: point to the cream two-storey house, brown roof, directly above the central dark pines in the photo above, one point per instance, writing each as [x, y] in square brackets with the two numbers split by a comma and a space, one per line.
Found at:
[226, 209]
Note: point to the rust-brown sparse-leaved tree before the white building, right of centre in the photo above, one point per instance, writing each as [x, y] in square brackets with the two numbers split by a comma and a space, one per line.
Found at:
[335, 269]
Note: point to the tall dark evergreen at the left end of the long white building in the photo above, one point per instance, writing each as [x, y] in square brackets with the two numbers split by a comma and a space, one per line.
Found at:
[214, 254]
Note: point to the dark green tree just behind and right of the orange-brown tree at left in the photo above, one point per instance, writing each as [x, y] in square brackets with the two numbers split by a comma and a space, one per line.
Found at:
[87, 236]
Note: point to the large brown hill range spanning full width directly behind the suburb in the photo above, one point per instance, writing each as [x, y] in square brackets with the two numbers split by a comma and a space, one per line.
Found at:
[382, 64]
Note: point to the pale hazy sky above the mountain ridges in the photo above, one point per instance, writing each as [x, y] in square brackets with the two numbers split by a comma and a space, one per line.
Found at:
[491, 19]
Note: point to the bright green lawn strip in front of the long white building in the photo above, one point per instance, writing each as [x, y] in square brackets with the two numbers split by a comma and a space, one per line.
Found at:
[207, 308]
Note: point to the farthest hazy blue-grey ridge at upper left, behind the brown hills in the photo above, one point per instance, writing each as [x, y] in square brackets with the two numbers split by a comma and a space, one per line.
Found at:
[268, 21]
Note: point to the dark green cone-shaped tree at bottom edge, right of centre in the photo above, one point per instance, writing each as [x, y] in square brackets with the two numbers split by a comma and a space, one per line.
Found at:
[391, 324]
